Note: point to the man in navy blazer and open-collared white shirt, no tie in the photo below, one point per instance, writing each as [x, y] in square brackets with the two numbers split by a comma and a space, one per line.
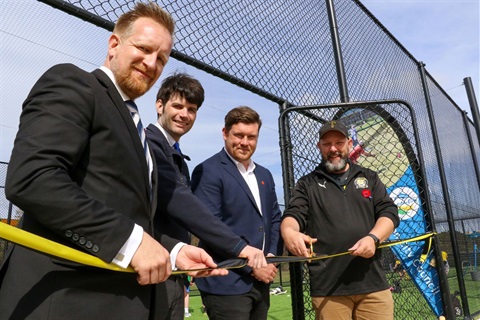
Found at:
[242, 194]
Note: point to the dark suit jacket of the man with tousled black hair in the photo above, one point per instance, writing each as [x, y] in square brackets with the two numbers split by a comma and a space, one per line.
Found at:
[176, 202]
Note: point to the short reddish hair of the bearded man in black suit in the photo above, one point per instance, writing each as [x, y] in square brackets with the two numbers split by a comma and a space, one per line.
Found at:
[124, 25]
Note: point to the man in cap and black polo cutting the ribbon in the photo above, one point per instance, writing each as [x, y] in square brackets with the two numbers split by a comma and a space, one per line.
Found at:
[340, 207]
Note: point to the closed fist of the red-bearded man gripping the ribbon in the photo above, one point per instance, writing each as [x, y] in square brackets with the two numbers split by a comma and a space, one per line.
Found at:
[151, 261]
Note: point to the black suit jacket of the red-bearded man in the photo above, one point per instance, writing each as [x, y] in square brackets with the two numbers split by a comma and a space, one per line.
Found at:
[79, 173]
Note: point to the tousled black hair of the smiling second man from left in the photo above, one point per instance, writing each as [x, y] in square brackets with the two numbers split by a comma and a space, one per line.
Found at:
[185, 86]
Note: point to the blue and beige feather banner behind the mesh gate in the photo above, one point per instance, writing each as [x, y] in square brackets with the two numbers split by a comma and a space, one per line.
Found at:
[378, 146]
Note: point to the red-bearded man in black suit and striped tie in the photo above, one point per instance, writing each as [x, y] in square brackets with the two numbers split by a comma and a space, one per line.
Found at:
[81, 172]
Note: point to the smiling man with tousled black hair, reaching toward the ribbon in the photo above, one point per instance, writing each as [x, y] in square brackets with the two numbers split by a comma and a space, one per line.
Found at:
[179, 211]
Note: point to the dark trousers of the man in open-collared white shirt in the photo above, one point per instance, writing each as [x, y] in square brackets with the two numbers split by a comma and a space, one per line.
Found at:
[252, 305]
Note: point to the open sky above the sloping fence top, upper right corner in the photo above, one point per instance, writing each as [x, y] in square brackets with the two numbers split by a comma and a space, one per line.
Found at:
[444, 34]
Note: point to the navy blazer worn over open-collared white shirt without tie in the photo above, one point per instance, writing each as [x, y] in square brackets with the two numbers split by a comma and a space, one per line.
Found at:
[219, 184]
